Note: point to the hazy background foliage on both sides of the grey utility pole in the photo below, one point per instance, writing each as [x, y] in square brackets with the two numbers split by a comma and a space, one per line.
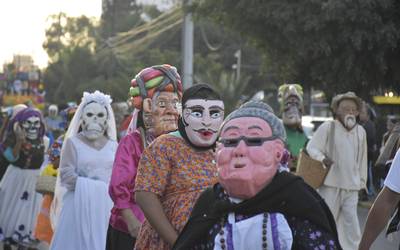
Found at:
[84, 57]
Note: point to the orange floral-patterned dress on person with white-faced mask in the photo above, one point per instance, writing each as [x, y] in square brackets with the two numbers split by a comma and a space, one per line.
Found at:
[177, 173]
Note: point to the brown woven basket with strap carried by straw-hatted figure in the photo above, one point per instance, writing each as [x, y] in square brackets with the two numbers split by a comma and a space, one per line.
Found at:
[312, 171]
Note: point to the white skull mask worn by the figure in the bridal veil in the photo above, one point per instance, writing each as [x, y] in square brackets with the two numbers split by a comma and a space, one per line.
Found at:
[94, 120]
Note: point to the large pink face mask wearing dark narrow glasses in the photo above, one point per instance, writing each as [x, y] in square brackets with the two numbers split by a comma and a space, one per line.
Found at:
[248, 156]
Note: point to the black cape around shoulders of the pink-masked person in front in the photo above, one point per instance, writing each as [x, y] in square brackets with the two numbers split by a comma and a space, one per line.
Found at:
[286, 194]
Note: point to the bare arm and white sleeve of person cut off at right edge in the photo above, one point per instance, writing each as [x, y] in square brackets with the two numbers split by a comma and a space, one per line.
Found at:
[383, 206]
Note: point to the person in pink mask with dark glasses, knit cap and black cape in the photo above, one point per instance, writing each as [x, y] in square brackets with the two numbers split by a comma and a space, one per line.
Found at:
[254, 206]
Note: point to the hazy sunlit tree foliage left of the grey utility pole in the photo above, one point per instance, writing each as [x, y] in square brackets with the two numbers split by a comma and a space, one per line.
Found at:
[81, 60]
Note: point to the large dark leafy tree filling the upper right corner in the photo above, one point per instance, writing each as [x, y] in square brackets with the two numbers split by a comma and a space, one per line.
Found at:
[333, 45]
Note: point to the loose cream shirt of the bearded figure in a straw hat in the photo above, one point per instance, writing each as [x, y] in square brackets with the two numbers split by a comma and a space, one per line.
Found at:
[349, 154]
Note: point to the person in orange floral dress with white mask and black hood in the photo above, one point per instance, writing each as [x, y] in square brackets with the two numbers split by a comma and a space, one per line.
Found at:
[177, 167]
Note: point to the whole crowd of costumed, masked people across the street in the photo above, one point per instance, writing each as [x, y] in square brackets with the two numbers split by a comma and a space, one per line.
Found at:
[179, 174]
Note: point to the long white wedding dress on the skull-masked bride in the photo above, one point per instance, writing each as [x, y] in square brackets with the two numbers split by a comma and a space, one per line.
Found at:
[86, 206]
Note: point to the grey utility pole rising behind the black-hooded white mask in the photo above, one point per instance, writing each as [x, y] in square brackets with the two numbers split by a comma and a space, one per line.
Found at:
[187, 44]
